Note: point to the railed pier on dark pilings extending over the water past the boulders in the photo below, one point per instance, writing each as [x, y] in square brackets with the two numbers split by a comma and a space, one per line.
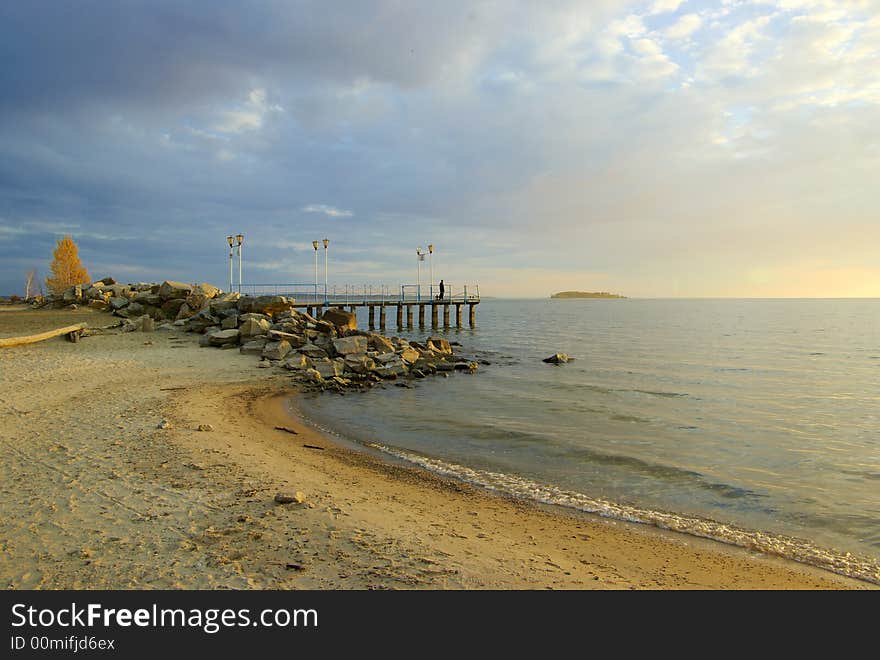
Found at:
[407, 299]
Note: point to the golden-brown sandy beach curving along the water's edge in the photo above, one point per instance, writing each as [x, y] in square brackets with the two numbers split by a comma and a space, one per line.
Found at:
[95, 496]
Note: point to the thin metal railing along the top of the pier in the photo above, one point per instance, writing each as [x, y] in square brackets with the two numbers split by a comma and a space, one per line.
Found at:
[365, 294]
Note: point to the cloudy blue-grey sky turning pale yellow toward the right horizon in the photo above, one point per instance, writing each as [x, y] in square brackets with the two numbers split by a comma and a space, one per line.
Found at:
[652, 148]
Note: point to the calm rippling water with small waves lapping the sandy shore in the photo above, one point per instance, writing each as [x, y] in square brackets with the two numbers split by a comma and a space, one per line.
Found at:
[750, 421]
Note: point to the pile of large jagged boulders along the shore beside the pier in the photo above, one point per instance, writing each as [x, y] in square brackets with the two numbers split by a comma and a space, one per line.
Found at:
[325, 353]
